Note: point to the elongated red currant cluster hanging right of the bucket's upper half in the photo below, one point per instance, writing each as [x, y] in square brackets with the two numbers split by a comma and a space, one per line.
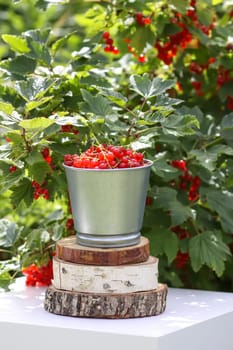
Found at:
[187, 182]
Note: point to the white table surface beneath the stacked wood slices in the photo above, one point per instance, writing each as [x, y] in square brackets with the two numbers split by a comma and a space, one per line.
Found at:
[193, 320]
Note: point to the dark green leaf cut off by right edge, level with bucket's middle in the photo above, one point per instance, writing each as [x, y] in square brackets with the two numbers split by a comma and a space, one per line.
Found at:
[222, 203]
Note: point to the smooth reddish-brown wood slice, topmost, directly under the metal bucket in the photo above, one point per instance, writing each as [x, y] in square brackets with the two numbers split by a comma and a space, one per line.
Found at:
[69, 250]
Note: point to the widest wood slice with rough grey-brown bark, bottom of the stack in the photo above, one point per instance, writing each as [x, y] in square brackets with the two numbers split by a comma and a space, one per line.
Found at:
[115, 306]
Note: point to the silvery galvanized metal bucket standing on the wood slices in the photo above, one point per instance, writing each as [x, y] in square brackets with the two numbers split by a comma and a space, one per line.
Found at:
[108, 205]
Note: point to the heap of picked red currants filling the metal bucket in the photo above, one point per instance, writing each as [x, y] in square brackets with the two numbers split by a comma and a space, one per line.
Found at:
[105, 157]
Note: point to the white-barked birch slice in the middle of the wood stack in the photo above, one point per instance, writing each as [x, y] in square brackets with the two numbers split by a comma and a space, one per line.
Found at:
[106, 279]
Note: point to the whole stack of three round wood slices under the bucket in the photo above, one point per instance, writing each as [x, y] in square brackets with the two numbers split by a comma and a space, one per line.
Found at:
[105, 283]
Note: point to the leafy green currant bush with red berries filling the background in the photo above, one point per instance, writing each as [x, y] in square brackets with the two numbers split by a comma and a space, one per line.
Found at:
[110, 86]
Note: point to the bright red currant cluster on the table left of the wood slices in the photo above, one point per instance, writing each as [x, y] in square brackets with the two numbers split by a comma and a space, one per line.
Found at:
[39, 276]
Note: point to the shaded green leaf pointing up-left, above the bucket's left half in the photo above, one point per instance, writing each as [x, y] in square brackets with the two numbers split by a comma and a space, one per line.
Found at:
[98, 105]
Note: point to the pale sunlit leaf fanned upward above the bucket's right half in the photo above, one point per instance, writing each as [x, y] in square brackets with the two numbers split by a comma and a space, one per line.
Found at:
[147, 88]
